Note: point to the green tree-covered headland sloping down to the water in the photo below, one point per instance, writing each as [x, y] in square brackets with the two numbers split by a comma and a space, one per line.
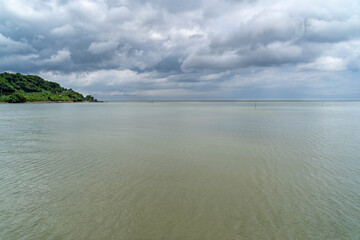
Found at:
[18, 88]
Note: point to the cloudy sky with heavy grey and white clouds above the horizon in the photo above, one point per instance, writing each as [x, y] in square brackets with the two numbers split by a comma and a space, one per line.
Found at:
[187, 50]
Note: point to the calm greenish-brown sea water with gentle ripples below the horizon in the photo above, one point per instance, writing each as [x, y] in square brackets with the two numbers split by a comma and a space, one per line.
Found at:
[173, 170]
